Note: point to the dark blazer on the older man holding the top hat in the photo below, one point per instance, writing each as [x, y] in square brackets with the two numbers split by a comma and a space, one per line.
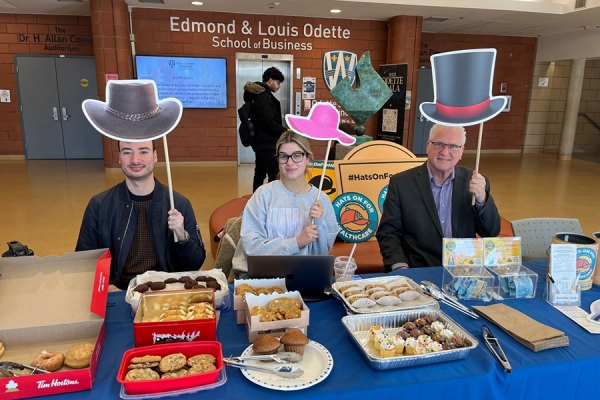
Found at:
[410, 229]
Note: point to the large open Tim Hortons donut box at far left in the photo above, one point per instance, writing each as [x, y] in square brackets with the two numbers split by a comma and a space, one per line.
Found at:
[52, 304]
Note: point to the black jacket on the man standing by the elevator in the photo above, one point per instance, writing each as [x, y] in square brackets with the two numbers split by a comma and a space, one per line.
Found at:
[266, 115]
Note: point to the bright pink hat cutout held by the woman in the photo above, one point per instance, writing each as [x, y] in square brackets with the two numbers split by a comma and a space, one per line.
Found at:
[321, 124]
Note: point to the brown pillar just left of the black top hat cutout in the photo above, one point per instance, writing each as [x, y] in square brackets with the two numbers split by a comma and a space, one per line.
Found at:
[404, 42]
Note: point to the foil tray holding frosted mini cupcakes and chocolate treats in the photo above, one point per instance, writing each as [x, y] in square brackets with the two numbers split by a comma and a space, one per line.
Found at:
[358, 327]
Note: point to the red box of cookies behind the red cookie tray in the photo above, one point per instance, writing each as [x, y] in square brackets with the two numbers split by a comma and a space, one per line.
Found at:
[150, 333]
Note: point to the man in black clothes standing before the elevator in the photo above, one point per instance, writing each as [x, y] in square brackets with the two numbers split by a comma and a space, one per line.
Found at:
[267, 119]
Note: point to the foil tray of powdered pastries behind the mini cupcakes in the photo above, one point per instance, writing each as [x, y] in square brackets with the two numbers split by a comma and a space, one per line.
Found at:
[421, 301]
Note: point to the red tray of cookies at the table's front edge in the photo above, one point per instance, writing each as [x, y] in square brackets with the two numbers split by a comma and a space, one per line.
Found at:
[157, 386]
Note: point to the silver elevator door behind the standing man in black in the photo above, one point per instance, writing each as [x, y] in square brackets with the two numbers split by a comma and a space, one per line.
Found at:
[250, 67]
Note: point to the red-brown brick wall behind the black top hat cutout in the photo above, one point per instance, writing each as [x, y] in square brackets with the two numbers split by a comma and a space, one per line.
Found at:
[514, 66]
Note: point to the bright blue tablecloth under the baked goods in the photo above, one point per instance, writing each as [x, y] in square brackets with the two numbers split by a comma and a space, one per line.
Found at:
[565, 373]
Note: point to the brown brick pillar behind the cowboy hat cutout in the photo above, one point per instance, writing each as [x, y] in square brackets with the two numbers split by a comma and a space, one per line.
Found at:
[112, 51]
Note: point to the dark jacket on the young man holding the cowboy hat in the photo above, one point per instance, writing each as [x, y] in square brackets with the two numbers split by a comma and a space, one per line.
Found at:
[110, 221]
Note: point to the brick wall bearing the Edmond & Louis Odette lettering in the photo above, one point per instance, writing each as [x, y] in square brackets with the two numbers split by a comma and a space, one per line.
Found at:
[210, 134]
